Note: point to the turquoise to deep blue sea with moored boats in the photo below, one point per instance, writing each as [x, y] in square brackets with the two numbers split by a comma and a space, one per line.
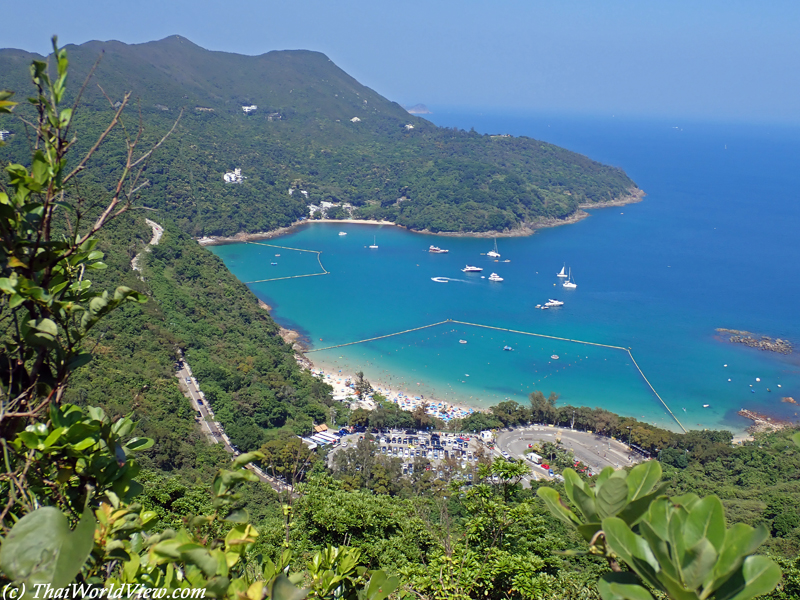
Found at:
[714, 244]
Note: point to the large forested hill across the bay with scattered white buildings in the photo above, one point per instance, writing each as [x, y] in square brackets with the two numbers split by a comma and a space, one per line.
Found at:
[316, 129]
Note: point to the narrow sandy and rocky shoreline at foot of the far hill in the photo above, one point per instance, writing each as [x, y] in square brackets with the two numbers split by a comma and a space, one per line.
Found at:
[524, 230]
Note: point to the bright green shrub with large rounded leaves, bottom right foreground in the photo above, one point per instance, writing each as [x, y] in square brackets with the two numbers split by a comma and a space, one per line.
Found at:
[679, 546]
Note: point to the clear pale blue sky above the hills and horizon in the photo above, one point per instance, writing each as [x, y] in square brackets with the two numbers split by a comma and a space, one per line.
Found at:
[721, 59]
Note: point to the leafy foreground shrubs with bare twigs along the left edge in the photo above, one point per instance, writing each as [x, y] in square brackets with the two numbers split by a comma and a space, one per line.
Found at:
[68, 487]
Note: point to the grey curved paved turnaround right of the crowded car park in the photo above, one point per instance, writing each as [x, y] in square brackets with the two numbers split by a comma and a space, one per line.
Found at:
[591, 449]
